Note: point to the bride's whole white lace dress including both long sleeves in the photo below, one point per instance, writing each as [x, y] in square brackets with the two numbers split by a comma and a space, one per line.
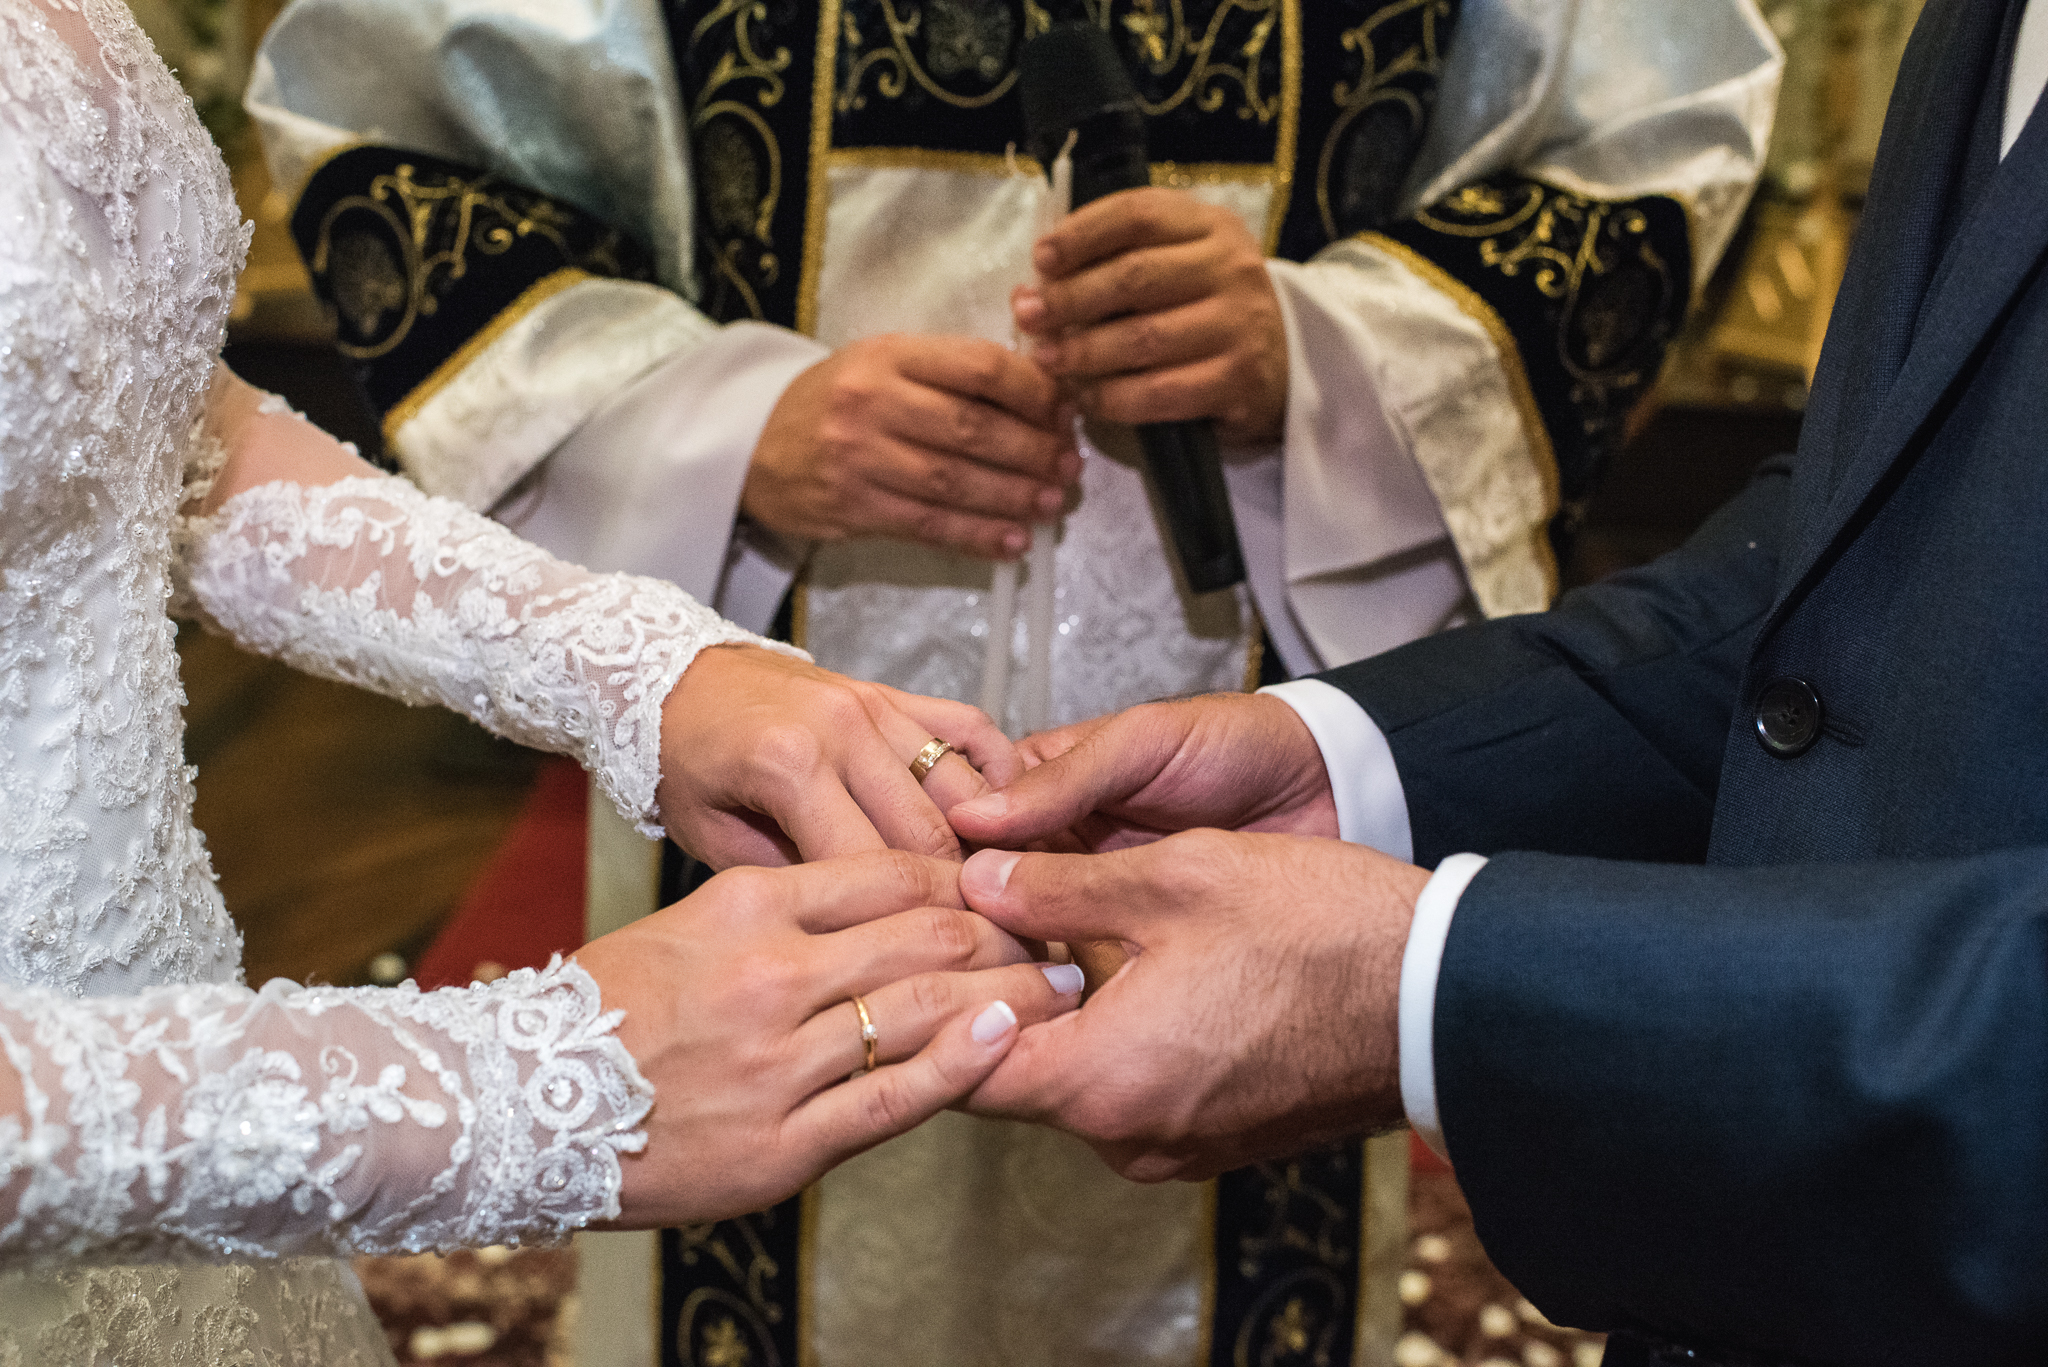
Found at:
[189, 1157]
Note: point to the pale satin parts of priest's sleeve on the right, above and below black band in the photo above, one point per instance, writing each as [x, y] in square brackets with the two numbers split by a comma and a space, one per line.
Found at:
[1420, 479]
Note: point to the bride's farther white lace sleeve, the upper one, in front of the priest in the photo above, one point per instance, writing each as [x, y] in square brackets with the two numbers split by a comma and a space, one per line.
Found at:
[374, 583]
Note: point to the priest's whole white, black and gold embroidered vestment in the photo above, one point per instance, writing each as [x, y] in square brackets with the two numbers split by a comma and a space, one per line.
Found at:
[579, 249]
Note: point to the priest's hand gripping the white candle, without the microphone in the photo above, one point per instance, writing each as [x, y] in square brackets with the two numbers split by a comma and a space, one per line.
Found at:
[949, 442]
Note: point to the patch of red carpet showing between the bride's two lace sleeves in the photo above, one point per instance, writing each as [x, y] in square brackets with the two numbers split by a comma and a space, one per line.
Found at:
[529, 899]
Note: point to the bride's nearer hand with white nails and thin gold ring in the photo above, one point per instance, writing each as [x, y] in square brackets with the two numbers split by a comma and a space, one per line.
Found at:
[740, 1011]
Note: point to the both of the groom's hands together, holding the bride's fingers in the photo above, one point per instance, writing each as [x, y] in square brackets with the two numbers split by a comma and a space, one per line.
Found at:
[1258, 1007]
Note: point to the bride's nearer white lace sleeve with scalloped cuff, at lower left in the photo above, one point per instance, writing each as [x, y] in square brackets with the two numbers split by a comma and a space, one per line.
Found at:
[222, 1122]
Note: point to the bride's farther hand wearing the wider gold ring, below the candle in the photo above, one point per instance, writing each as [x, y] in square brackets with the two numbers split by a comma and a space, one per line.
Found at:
[767, 761]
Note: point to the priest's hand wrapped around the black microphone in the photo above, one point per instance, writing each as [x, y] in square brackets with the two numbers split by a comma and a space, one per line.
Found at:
[1156, 306]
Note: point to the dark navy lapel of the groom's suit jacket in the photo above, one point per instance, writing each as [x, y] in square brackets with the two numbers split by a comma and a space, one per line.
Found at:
[1912, 317]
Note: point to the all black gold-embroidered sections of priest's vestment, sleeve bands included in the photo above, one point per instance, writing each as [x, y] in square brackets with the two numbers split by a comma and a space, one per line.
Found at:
[1326, 103]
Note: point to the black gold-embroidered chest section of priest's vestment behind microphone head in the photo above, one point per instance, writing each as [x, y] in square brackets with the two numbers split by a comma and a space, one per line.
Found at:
[1326, 103]
